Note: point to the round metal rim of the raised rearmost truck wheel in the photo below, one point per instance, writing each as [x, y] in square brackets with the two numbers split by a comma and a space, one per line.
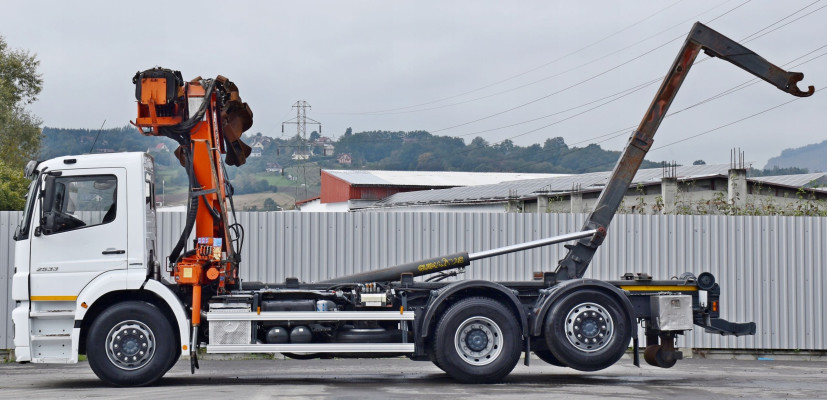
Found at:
[589, 327]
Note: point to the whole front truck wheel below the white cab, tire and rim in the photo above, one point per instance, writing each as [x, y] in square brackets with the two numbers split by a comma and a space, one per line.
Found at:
[131, 344]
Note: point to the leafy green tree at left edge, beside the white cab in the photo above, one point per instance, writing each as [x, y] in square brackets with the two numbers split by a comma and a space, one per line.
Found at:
[20, 83]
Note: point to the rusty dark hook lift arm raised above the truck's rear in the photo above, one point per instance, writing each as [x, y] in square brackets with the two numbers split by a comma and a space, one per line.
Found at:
[701, 37]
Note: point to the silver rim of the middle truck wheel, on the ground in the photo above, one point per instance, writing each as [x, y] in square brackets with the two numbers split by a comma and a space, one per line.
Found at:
[478, 341]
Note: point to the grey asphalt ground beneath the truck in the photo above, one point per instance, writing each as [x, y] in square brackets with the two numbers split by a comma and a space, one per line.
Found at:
[402, 378]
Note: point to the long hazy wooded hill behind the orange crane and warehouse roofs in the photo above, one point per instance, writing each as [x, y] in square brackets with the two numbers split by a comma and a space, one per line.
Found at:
[407, 151]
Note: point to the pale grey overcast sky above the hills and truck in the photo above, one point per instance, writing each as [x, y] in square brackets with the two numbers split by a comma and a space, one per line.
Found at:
[495, 69]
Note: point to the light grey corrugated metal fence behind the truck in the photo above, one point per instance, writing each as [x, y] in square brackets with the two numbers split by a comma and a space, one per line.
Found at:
[771, 269]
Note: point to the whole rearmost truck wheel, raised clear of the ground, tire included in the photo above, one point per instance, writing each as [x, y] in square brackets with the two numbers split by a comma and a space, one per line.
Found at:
[587, 330]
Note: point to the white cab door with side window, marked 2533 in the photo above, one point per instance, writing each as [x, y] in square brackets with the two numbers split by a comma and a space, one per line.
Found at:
[82, 232]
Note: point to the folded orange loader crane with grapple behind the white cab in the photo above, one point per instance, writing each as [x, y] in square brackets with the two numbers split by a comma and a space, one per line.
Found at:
[206, 117]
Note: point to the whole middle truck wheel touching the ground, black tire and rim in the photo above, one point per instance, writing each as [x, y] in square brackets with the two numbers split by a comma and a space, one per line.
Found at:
[477, 340]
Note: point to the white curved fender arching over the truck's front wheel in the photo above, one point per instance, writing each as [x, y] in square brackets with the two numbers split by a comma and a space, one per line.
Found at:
[120, 280]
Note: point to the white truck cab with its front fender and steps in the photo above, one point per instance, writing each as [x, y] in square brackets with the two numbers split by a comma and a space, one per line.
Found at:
[81, 243]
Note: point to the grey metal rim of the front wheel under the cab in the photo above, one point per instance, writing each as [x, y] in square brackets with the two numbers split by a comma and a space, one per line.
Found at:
[130, 345]
